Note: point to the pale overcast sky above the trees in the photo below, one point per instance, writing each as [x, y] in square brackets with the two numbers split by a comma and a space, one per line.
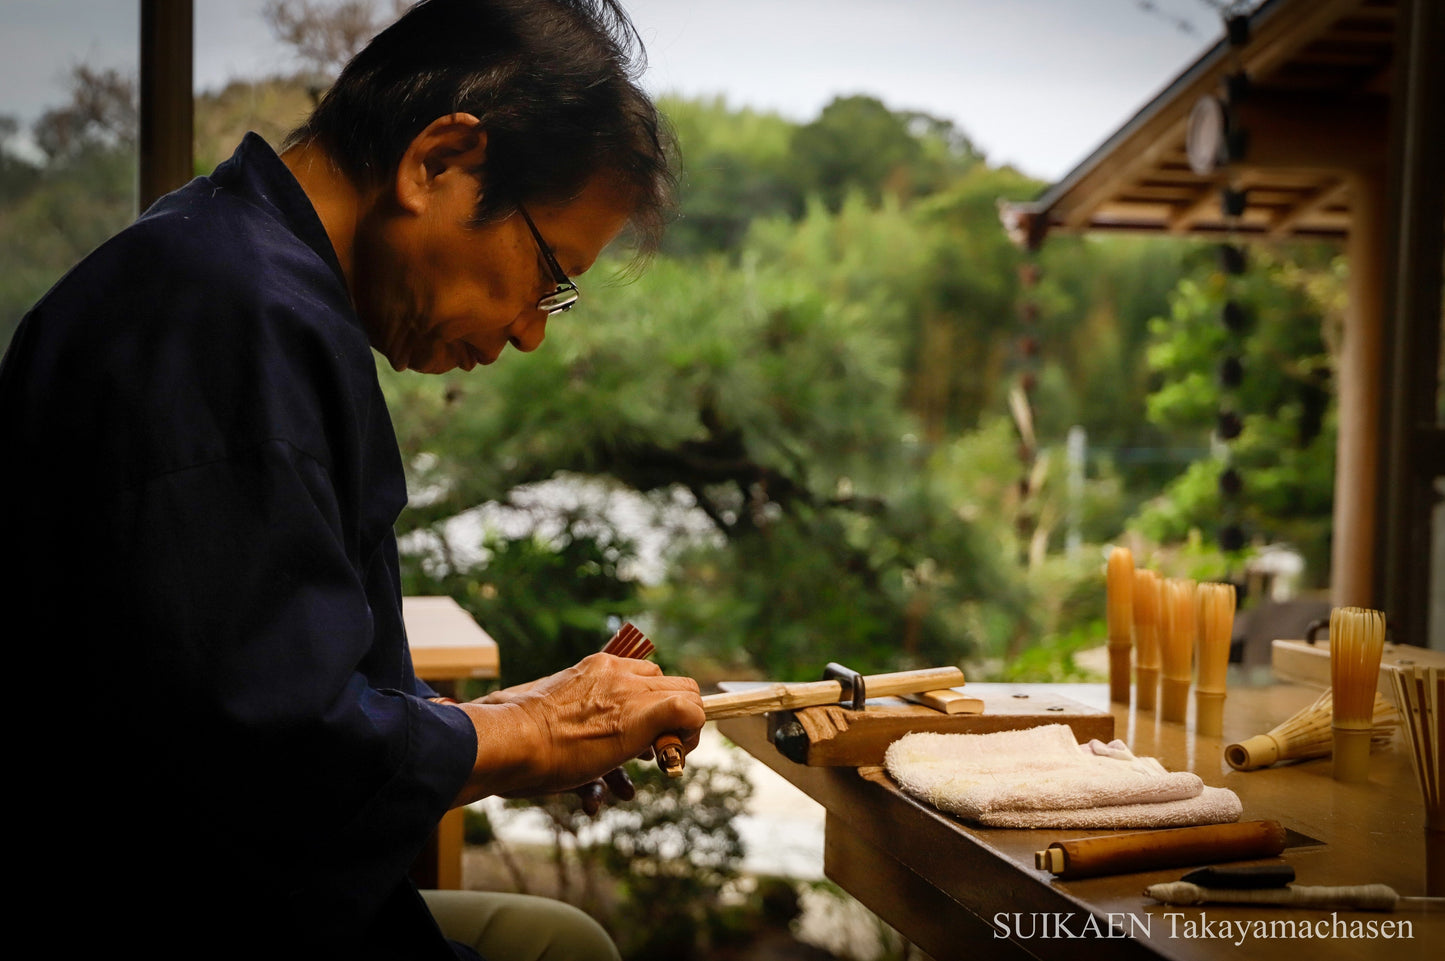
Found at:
[1034, 83]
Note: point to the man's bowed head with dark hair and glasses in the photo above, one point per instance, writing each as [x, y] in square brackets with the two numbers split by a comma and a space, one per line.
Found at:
[453, 122]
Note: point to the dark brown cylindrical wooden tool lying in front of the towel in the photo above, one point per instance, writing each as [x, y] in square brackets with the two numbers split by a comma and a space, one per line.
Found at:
[1152, 850]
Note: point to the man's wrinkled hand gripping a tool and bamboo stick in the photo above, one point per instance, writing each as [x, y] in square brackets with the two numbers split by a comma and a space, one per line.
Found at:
[573, 731]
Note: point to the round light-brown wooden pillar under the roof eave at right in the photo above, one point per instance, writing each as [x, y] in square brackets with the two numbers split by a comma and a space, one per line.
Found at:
[1353, 566]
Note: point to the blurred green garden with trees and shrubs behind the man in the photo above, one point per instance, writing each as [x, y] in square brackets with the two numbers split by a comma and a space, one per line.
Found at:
[840, 417]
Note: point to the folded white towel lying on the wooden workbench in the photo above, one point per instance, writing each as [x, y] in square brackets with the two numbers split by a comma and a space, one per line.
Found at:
[1043, 778]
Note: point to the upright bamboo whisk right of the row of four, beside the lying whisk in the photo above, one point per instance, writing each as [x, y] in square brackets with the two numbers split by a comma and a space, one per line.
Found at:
[1356, 644]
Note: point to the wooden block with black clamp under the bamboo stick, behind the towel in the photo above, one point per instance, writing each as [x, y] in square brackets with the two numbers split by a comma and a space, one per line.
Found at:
[837, 736]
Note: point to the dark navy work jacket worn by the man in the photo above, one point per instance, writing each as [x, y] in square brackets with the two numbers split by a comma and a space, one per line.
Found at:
[223, 742]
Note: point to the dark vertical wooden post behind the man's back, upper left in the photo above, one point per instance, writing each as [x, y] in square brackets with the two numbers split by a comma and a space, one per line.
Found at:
[167, 103]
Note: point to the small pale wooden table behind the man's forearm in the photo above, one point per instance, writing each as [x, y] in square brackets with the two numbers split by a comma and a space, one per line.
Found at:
[447, 647]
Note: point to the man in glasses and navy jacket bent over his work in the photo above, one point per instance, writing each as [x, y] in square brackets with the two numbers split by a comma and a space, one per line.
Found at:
[223, 745]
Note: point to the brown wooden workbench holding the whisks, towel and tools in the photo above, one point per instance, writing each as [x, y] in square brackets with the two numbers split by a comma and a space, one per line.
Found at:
[965, 892]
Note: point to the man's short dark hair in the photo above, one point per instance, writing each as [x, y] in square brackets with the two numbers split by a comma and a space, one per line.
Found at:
[553, 82]
